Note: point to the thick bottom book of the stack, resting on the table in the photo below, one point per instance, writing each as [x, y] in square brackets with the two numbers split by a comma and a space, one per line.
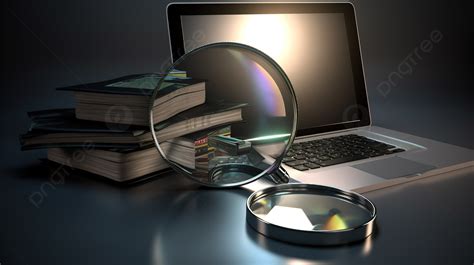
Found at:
[123, 165]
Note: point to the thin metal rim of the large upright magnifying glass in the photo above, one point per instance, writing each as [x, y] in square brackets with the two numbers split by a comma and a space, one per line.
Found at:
[278, 160]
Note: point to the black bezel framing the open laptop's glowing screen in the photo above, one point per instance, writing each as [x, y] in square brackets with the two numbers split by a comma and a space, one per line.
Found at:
[176, 10]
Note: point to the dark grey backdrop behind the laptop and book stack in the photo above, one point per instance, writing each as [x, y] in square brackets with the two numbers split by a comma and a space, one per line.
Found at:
[49, 44]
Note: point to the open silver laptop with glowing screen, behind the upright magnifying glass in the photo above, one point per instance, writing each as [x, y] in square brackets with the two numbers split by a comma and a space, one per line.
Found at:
[317, 45]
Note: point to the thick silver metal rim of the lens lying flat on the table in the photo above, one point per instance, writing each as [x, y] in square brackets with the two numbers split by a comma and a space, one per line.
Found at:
[312, 237]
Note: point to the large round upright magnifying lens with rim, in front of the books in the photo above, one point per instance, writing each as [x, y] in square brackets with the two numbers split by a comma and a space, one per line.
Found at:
[224, 115]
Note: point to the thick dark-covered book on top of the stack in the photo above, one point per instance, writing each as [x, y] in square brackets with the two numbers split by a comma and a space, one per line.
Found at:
[126, 100]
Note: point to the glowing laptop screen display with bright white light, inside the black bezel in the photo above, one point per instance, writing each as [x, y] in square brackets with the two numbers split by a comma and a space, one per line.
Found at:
[312, 48]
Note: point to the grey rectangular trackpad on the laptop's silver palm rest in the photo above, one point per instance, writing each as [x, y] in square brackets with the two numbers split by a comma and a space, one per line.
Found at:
[393, 167]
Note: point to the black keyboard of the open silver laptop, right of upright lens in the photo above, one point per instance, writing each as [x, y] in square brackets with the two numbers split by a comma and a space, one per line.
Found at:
[335, 150]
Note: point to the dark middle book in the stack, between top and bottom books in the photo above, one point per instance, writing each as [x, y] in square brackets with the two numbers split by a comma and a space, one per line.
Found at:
[60, 128]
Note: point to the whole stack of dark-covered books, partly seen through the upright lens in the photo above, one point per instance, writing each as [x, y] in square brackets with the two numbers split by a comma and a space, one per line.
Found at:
[109, 126]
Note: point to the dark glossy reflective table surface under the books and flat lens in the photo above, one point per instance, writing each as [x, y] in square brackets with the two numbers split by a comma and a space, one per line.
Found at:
[78, 219]
